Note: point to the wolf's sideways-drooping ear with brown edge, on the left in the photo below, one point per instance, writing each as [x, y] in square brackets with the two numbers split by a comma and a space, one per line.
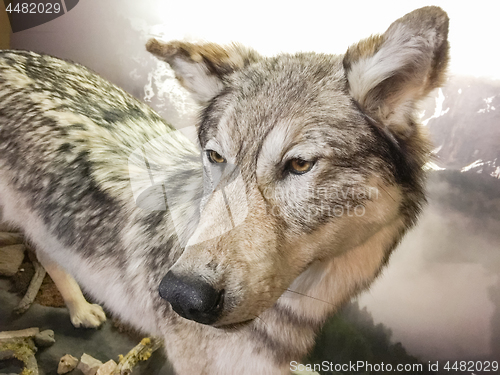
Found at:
[201, 68]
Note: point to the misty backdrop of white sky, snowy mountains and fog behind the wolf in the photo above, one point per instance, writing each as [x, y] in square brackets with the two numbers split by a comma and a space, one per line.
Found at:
[440, 295]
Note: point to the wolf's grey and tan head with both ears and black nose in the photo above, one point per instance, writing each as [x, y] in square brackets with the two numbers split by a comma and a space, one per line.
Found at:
[315, 155]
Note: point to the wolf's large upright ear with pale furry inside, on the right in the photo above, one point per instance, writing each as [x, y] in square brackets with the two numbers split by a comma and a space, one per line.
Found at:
[388, 74]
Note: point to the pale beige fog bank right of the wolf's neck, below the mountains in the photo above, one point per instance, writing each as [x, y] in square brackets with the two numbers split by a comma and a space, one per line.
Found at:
[440, 293]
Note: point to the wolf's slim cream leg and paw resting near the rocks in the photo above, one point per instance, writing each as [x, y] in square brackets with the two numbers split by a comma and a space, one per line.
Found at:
[82, 313]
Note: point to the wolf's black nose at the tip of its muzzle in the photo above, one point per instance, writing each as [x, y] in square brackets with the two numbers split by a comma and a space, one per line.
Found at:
[192, 298]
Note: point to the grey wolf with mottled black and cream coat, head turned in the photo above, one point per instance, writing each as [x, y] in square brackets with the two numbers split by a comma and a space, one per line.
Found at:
[318, 163]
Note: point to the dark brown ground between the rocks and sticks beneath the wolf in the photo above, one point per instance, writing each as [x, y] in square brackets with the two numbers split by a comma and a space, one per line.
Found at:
[48, 312]
